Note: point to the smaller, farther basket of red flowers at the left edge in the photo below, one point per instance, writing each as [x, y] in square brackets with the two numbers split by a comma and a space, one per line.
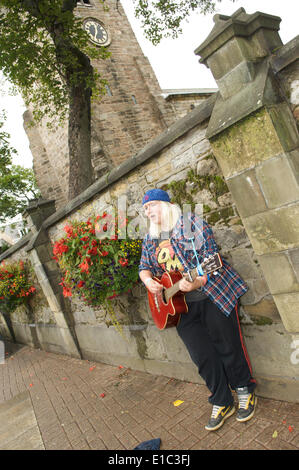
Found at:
[15, 285]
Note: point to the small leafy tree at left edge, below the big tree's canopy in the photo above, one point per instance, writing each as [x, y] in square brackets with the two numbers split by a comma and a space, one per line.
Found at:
[17, 184]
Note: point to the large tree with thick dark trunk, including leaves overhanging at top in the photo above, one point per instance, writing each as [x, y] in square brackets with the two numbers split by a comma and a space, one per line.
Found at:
[45, 52]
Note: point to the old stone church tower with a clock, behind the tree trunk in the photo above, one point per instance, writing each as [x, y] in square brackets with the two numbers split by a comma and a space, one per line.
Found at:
[131, 113]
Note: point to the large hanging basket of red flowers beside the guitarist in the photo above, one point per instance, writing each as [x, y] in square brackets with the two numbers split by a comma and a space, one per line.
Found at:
[97, 262]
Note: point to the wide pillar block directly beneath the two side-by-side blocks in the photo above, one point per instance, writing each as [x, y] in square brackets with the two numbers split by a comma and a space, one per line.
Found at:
[275, 230]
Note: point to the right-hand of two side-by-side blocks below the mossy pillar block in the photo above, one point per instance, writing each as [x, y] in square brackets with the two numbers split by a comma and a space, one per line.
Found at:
[278, 182]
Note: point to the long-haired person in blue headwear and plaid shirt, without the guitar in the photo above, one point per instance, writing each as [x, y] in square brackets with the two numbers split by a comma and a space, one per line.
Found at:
[210, 329]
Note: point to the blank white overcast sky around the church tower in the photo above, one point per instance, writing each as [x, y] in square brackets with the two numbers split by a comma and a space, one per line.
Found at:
[173, 60]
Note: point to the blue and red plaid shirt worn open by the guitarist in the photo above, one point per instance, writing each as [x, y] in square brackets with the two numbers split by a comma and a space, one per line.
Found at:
[223, 289]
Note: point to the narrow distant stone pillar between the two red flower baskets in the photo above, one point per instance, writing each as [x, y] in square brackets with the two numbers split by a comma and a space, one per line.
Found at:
[47, 273]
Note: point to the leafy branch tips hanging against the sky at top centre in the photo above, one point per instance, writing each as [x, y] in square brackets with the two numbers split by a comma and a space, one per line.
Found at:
[164, 18]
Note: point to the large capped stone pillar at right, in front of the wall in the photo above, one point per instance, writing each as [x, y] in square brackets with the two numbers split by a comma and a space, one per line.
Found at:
[256, 143]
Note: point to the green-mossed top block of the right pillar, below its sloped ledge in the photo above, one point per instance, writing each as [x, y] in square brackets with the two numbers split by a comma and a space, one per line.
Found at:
[247, 143]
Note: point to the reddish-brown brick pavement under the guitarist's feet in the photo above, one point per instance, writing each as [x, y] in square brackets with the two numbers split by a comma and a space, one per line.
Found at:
[136, 406]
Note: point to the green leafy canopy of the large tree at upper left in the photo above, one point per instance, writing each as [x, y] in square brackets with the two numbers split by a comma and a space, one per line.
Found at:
[44, 51]
